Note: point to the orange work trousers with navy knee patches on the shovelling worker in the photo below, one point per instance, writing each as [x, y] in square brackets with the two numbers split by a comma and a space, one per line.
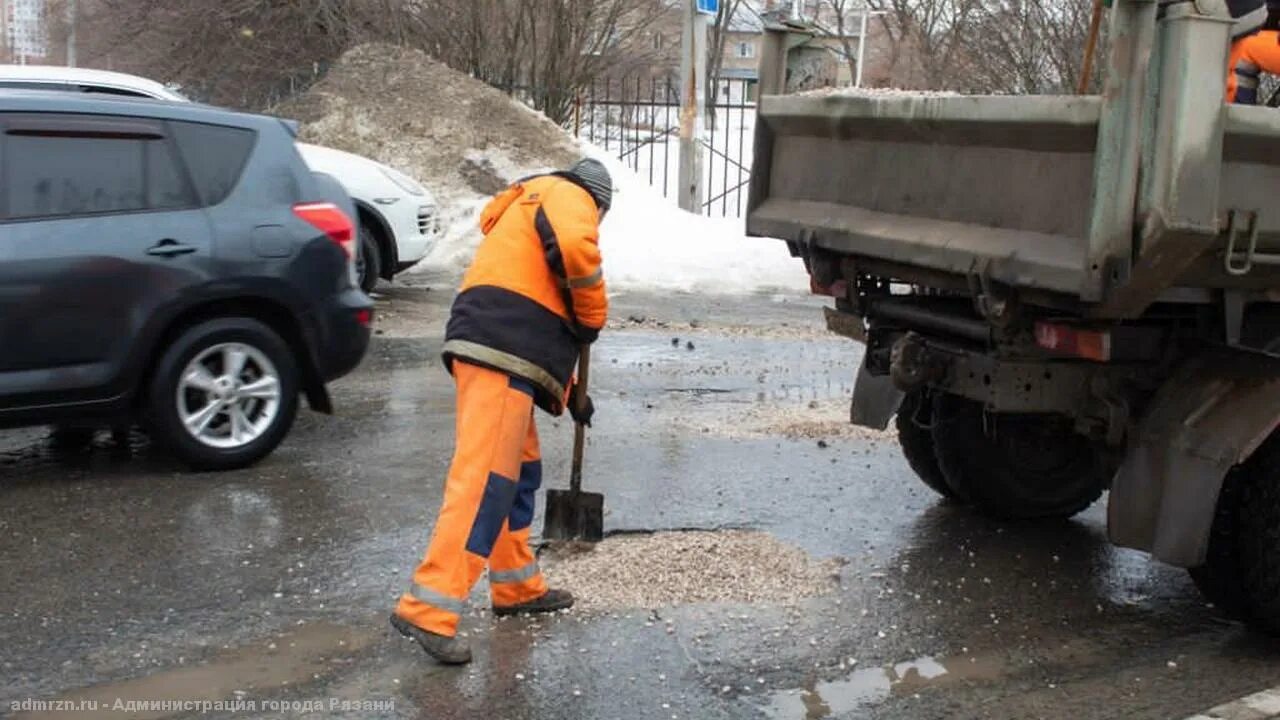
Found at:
[488, 505]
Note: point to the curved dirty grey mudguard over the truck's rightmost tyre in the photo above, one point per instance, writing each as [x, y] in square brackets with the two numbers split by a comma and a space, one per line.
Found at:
[1217, 409]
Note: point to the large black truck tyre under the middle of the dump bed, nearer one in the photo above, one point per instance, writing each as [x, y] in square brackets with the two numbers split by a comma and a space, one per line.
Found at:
[1016, 467]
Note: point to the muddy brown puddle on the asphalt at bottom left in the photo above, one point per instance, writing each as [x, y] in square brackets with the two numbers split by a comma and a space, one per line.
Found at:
[294, 658]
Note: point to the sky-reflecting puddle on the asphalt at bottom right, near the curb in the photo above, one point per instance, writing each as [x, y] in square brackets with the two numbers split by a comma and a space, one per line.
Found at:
[874, 686]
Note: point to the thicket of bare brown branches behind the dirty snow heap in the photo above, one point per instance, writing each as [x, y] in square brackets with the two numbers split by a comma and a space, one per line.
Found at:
[249, 53]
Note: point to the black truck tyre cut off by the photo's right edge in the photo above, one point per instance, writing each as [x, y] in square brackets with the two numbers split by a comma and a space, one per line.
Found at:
[1241, 575]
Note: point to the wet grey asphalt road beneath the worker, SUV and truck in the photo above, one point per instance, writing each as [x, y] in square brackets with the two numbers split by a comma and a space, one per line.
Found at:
[124, 577]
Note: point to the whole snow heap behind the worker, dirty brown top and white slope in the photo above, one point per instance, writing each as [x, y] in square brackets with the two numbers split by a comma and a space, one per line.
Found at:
[467, 142]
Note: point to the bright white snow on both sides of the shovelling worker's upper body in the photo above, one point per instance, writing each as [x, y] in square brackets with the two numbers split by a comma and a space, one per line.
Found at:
[648, 244]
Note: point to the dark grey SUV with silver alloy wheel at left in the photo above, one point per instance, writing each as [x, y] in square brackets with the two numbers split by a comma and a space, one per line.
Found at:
[173, 265]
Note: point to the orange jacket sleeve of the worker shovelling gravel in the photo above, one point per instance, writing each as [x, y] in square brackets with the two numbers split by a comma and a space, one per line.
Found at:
[577, 222]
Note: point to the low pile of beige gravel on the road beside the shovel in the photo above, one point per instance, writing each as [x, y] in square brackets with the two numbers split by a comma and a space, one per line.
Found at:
[680, 568]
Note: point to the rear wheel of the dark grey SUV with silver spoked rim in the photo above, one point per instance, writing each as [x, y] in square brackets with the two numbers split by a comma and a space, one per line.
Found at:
[225, 394]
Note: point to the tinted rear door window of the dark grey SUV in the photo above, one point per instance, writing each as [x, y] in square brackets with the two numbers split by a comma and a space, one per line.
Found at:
[65, 172]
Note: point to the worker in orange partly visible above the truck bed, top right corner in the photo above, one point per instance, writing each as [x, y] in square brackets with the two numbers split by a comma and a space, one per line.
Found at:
[1255, 48]
